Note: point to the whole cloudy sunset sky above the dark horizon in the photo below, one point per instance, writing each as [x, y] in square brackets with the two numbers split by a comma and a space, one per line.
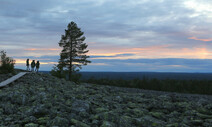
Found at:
[123, 36]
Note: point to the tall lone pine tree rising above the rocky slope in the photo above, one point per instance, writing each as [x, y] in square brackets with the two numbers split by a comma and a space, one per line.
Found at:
[73, 55]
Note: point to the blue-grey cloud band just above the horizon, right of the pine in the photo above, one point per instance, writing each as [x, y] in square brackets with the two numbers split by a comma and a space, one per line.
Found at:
[155, 65]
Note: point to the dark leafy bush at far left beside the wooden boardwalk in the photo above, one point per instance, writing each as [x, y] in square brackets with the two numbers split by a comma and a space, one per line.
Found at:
[6, 63]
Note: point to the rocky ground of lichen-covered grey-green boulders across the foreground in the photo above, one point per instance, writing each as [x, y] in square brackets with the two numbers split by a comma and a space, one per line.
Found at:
[39, 100]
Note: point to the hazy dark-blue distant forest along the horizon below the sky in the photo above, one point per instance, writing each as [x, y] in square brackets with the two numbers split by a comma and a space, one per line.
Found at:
[149, 75]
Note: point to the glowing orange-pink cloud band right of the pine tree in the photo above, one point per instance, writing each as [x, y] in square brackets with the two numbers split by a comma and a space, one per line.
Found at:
[156, 52]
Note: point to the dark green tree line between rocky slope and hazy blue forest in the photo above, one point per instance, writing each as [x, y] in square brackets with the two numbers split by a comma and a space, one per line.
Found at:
[170, 85]
